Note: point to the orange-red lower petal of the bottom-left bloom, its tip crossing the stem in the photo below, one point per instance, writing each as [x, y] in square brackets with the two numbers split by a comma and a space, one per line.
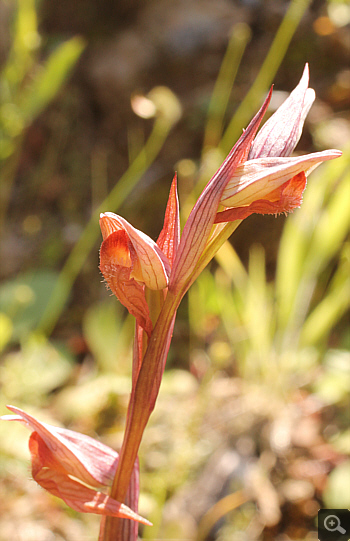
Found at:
[78, 496]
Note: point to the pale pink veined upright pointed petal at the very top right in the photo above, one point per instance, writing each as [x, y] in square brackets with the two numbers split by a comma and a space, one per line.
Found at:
[281, 133]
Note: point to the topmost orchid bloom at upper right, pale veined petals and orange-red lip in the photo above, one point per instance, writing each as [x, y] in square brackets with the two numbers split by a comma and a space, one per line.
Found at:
[271, 182]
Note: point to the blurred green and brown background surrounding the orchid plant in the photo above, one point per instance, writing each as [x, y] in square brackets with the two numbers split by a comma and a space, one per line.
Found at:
[100, 102]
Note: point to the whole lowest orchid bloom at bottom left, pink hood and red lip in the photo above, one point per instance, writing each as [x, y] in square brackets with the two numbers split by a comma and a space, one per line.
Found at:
[59, 455]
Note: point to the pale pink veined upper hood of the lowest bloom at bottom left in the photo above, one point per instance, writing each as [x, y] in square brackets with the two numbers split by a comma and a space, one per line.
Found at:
[78, 455]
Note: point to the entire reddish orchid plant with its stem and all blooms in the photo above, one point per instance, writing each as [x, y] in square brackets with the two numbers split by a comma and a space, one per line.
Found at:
[150, 279]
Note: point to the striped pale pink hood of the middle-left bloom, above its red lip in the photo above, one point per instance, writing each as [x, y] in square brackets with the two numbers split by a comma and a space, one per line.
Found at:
[150, 265]
